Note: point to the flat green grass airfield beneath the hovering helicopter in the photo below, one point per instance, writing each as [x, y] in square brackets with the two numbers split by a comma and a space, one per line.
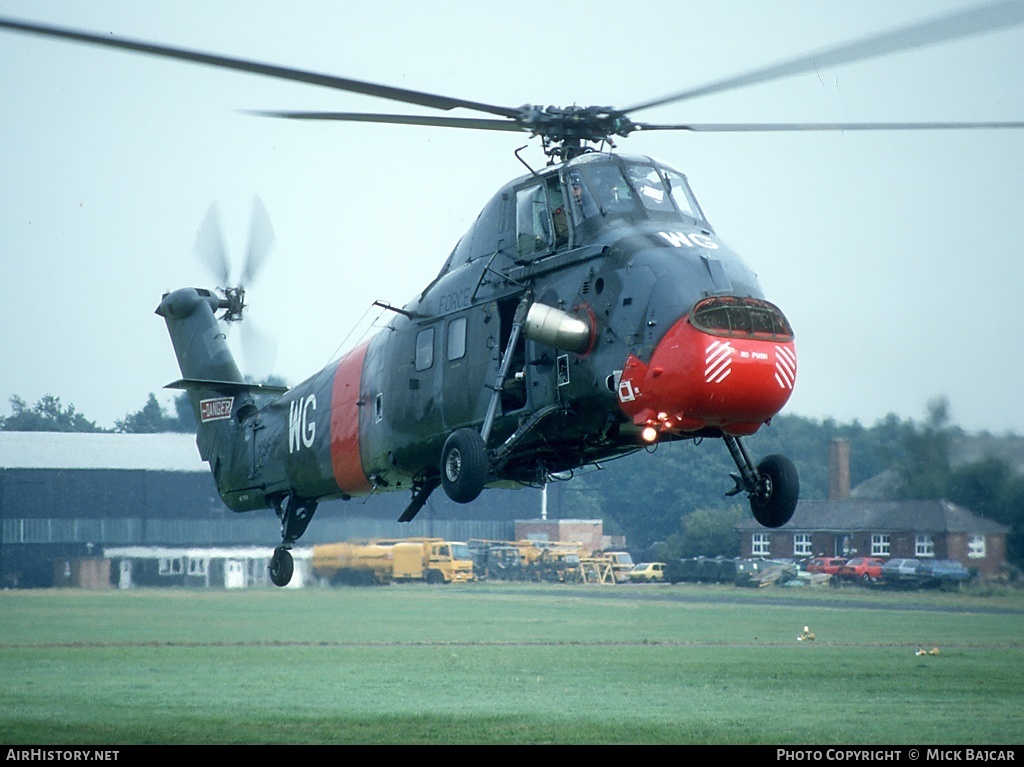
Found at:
[500, 664]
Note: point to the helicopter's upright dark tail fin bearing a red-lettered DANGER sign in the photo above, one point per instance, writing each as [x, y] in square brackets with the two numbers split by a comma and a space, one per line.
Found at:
[221, 398]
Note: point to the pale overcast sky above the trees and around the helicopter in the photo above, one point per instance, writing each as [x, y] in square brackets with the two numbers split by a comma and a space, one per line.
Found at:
[897, 257]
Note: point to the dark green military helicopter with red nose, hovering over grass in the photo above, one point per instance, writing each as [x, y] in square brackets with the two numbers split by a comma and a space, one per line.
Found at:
[589, 312]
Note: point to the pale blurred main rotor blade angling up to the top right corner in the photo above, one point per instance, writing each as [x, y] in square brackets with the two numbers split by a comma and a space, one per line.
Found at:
[957, 26]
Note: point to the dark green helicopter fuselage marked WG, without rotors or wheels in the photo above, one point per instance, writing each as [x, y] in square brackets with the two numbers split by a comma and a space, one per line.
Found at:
[589, 239]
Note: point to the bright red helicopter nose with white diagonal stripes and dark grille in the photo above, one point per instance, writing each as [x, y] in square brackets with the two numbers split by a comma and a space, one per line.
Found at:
[731, 366]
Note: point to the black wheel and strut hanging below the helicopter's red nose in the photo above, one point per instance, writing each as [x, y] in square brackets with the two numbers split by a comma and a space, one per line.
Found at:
[774, 488]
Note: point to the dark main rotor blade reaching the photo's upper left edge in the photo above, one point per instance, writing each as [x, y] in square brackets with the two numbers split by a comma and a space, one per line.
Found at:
[257, 68]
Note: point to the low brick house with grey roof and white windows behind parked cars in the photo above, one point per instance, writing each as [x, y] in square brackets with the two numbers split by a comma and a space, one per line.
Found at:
[919, 530]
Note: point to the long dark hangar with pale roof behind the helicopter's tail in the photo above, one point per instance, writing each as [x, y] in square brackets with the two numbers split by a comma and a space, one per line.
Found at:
[72, 496]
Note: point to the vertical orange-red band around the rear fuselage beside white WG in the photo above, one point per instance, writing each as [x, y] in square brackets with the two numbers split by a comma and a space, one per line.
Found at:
[346, 423]
